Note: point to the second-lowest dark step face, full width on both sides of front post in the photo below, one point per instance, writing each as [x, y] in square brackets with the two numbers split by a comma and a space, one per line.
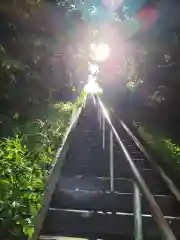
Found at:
[110, 202]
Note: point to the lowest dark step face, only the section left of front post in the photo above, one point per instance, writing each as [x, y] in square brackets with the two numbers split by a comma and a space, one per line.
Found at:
[86, 223]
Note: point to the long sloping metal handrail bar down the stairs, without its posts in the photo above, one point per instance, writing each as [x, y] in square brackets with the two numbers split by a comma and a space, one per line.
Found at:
[154, 208]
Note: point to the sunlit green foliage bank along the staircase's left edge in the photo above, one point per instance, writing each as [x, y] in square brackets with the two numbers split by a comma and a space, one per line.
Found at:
[25, 161]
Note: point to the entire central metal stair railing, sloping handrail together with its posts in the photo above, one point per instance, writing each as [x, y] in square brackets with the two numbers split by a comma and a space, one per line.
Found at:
[139, 183]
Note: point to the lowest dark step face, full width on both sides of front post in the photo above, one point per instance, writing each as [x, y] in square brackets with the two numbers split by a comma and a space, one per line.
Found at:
[85, 223]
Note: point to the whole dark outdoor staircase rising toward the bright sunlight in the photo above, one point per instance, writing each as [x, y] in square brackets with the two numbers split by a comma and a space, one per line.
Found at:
[96, 196]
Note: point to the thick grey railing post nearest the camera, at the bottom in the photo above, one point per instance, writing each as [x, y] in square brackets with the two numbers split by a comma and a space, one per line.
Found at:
[138, 233]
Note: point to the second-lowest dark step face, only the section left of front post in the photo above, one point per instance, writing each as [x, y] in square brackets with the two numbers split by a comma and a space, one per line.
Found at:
[92, 201]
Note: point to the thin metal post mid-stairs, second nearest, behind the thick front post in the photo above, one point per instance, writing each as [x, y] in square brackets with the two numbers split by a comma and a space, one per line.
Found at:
[111, 162]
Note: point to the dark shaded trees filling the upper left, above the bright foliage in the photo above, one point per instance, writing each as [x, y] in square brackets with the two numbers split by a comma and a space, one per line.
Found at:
[31, 76]
